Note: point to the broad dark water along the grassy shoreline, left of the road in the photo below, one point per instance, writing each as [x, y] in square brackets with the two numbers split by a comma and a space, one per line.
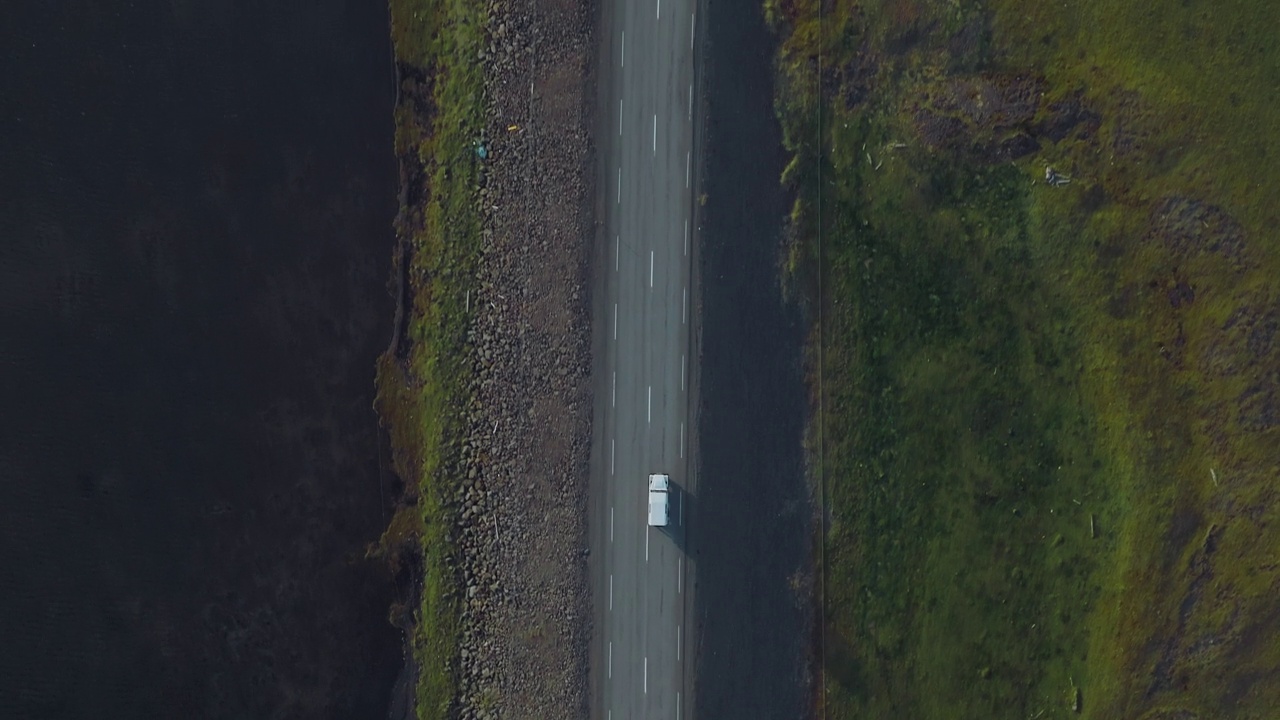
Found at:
[195, 231]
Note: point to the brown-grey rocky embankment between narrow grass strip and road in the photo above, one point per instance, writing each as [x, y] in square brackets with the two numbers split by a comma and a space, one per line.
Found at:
[523, 526]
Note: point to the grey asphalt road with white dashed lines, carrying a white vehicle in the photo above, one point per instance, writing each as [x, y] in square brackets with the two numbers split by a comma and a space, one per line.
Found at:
[643, 312]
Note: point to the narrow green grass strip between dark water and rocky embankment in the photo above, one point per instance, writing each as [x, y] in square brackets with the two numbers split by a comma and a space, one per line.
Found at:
[423, 377]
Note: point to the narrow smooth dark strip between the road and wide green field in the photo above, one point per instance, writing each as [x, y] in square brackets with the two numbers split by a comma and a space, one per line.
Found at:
[755, 530]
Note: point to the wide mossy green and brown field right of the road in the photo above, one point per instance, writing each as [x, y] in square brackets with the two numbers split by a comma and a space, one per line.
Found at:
[1049, 409]
